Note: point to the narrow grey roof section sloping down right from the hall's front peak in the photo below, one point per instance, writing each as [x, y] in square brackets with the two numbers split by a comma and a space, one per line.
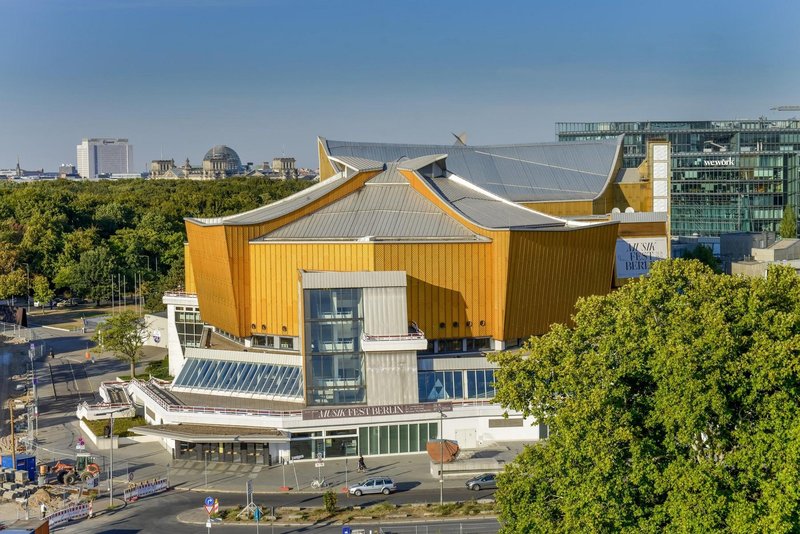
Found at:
[487, 211]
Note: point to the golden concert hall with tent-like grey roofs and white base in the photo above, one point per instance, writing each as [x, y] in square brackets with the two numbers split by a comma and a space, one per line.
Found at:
[355, 316]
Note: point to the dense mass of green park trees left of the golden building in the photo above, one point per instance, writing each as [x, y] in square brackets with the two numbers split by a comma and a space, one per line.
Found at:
[73, 237]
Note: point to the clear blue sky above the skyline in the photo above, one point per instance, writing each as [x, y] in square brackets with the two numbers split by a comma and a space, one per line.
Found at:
[268, 77]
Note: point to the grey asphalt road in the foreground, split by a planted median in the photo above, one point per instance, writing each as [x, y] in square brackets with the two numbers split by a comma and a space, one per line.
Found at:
[160, 514]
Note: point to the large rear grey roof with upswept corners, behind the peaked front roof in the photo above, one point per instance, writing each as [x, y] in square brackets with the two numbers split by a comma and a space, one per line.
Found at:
[519, 173]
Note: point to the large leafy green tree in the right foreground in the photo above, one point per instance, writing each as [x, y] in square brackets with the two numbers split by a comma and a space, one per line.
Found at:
[672, 406]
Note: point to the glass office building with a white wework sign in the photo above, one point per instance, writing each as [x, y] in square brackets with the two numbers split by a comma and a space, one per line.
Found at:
[727, 176]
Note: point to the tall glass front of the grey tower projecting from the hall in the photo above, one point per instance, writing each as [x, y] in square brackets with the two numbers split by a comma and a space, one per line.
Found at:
[334, 320]
